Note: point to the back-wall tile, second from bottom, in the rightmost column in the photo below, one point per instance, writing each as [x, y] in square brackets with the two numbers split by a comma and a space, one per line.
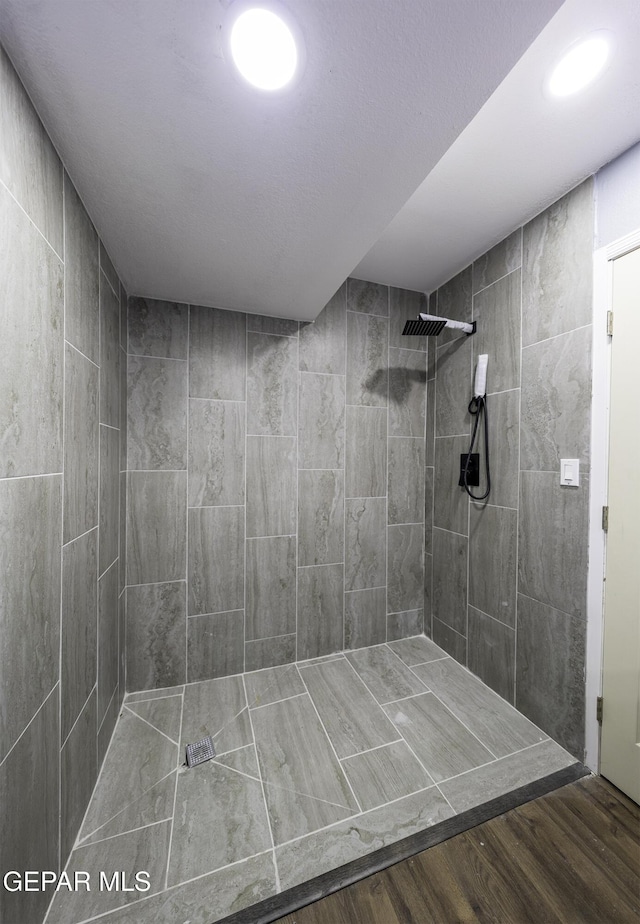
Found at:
[405, 567]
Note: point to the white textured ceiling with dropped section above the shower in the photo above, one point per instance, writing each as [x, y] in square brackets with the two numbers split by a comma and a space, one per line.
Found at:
[417, 137]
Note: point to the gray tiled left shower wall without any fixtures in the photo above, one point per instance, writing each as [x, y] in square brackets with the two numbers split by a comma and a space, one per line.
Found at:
[62, 438]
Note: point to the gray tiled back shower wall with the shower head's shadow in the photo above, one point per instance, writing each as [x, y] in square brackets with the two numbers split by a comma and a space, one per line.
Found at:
[275, 484]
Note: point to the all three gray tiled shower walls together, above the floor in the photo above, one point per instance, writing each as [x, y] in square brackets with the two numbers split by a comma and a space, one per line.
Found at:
[189, 493]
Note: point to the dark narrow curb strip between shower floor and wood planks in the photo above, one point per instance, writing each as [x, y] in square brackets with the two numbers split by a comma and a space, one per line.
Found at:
[276, 906]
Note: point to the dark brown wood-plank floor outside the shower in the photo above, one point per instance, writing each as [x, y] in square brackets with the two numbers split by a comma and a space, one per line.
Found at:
[572, 856]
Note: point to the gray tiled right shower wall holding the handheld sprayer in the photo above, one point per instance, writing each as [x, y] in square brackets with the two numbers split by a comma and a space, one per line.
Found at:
[505, 588]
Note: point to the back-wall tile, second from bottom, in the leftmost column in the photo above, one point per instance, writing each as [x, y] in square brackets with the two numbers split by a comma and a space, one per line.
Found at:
[156, 526]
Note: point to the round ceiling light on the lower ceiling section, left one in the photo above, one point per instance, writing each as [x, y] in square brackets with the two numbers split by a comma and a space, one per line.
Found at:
[263, 48]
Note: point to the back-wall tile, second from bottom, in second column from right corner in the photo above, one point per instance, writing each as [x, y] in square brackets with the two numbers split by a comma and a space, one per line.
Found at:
[365, 542]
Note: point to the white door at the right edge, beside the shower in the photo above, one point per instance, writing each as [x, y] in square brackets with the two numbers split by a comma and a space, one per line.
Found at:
[620, 743]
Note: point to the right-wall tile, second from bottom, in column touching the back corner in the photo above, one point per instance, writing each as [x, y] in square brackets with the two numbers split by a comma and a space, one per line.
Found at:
[450, 553]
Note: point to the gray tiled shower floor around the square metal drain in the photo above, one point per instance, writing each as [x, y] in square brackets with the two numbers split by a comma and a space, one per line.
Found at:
[317, 764]
